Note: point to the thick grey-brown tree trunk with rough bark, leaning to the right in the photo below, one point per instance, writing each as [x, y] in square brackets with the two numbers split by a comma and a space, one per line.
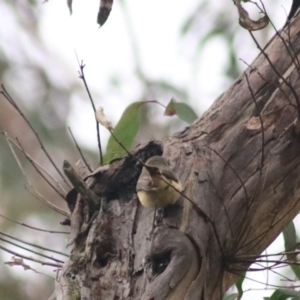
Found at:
[239, 164]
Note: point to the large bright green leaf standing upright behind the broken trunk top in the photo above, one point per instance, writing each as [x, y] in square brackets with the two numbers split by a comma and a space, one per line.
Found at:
[125, 131]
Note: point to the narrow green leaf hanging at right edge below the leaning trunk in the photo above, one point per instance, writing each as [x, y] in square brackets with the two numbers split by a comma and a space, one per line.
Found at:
[290, 242]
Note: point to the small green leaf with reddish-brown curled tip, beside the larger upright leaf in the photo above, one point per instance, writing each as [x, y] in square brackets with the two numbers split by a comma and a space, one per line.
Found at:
[182, 110]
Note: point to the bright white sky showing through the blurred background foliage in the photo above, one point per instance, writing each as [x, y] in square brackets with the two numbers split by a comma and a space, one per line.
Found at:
[162, 52]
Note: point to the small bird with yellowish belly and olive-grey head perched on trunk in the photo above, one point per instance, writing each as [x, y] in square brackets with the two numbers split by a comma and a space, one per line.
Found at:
[155, 184]
